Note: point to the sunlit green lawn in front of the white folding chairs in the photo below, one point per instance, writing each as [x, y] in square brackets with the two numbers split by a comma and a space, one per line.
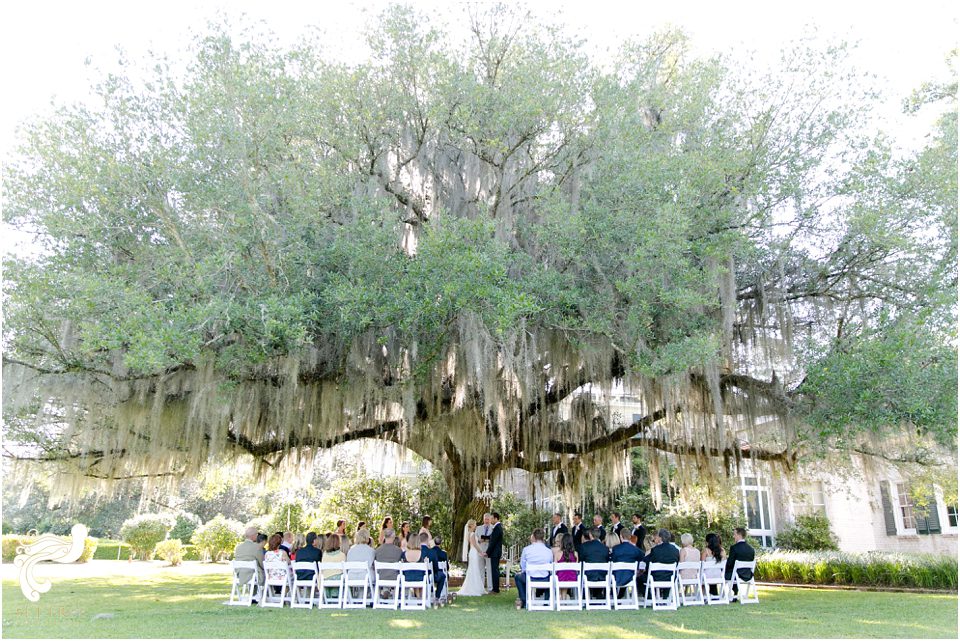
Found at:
[173, 605]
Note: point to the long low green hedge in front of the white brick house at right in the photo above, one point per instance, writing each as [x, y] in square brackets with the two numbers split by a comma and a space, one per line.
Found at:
[869, 569]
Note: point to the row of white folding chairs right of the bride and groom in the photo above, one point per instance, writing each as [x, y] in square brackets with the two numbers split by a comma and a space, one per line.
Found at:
[688, 583]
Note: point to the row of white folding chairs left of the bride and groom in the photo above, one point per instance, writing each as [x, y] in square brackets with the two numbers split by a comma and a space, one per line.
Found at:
[355, 586]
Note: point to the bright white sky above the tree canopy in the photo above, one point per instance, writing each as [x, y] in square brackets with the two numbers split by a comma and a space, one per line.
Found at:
[44, 44]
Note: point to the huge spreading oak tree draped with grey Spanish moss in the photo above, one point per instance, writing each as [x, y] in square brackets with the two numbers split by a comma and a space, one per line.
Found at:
[274, 252]
